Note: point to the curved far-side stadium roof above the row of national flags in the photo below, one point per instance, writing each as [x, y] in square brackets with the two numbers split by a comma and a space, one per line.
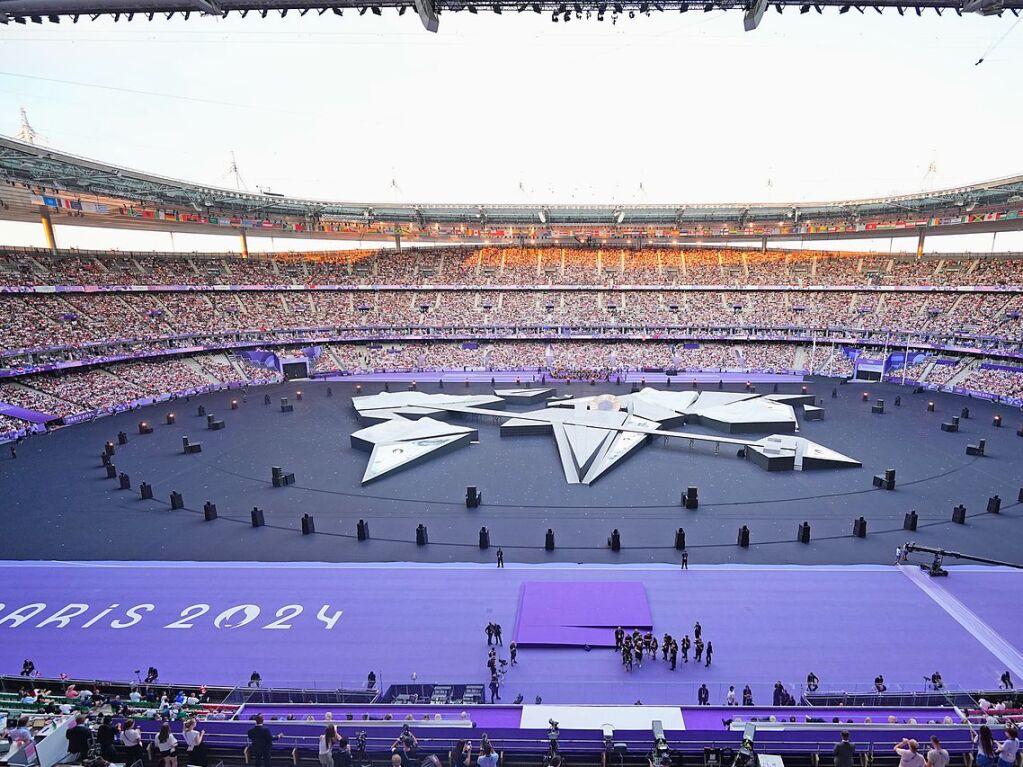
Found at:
[41, 167]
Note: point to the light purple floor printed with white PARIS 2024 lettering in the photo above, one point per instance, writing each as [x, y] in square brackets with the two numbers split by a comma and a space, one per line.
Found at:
[328, 626]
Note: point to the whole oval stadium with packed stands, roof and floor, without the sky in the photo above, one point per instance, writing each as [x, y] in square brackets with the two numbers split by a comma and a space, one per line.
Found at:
[307, 480]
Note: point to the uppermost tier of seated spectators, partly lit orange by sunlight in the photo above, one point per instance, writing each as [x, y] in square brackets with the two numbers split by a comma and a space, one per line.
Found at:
[537, 266]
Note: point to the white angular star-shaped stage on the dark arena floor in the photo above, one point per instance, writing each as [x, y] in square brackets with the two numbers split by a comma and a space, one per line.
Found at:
[593, 434]
